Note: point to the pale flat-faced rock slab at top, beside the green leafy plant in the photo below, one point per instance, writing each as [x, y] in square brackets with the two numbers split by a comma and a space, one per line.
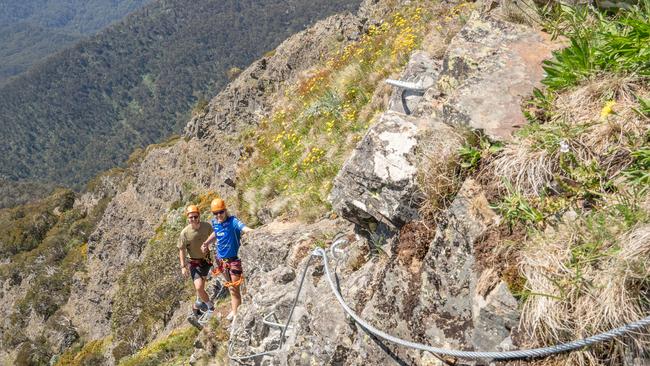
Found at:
[489, 68]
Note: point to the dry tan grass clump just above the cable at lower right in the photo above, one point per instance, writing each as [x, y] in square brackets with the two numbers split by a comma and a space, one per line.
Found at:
[578, 290]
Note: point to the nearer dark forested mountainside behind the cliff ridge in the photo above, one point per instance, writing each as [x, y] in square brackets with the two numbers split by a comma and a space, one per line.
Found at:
[86, 108]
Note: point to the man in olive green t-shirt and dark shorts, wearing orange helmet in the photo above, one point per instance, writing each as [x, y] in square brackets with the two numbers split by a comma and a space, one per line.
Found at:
[198, 266]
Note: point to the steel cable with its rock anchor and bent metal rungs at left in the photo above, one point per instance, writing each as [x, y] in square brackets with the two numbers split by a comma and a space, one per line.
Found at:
[336, 253]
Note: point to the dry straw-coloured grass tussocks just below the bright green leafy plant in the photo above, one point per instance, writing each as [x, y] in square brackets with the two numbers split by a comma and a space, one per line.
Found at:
[531, 163]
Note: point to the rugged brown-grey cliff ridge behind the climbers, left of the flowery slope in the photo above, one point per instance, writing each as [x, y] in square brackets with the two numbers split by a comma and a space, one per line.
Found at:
[205, 160]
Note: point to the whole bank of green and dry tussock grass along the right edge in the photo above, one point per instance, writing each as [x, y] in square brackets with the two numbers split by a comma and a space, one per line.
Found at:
[572, 188]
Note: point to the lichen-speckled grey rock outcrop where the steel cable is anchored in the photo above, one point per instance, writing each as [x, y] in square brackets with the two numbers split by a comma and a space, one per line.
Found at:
[431, 299]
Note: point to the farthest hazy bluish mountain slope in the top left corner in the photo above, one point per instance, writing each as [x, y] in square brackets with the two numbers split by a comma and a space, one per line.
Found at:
[31, 30]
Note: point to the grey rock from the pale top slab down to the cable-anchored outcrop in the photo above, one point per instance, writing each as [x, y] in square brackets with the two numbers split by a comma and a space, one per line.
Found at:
[427, 290]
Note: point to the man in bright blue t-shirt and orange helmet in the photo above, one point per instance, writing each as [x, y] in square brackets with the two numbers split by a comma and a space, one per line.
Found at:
[227, 231]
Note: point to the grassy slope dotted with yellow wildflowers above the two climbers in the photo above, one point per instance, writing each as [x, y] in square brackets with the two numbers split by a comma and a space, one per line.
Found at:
[298, 151]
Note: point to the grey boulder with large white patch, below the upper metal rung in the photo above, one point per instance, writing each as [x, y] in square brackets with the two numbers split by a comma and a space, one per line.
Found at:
[377, 184]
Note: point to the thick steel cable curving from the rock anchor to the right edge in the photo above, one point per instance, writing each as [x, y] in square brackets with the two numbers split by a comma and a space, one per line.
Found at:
[532, 353]
